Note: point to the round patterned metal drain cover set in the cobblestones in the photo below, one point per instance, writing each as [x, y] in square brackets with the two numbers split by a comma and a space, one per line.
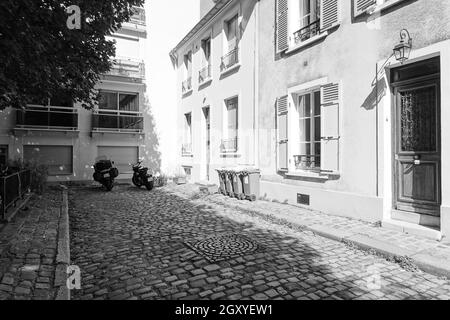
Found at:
[223, 247]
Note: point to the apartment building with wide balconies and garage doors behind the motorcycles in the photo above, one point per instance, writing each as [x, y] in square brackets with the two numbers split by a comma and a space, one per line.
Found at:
[67, 137]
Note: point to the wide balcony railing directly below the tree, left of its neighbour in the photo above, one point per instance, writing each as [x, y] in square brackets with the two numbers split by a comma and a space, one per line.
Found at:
[47, 118]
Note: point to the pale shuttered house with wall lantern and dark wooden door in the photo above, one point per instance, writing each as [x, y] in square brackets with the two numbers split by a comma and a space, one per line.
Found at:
[357, 130]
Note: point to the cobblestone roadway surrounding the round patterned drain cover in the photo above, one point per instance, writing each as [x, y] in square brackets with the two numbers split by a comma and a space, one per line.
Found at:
[131, 244]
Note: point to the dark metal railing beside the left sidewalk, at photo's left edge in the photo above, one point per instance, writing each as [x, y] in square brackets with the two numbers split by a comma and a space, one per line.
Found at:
[13, 188]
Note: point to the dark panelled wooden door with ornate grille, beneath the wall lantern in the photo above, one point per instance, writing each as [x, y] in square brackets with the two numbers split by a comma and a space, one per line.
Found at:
[418, 148]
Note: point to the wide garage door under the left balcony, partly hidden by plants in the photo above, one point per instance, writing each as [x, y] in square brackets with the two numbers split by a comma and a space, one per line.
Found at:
[59, 159]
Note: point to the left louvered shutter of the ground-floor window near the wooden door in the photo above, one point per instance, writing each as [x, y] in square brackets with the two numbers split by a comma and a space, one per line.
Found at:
[282, 133]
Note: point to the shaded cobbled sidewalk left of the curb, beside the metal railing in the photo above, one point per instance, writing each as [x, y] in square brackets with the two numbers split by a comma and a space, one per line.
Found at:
[28, 247]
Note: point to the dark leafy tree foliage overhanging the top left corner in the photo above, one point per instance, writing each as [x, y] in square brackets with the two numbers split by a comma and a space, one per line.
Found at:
[41, 57]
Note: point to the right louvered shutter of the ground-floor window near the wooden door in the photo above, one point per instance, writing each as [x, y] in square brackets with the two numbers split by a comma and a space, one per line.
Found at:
[330, 94]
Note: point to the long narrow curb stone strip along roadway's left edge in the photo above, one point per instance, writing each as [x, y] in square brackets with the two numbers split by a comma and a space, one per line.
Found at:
[63, 255]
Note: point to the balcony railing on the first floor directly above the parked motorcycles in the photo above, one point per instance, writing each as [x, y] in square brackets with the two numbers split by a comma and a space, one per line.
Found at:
[106, 121]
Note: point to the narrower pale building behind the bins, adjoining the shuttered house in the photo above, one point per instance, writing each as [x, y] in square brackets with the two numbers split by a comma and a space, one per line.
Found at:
[216, 70]
